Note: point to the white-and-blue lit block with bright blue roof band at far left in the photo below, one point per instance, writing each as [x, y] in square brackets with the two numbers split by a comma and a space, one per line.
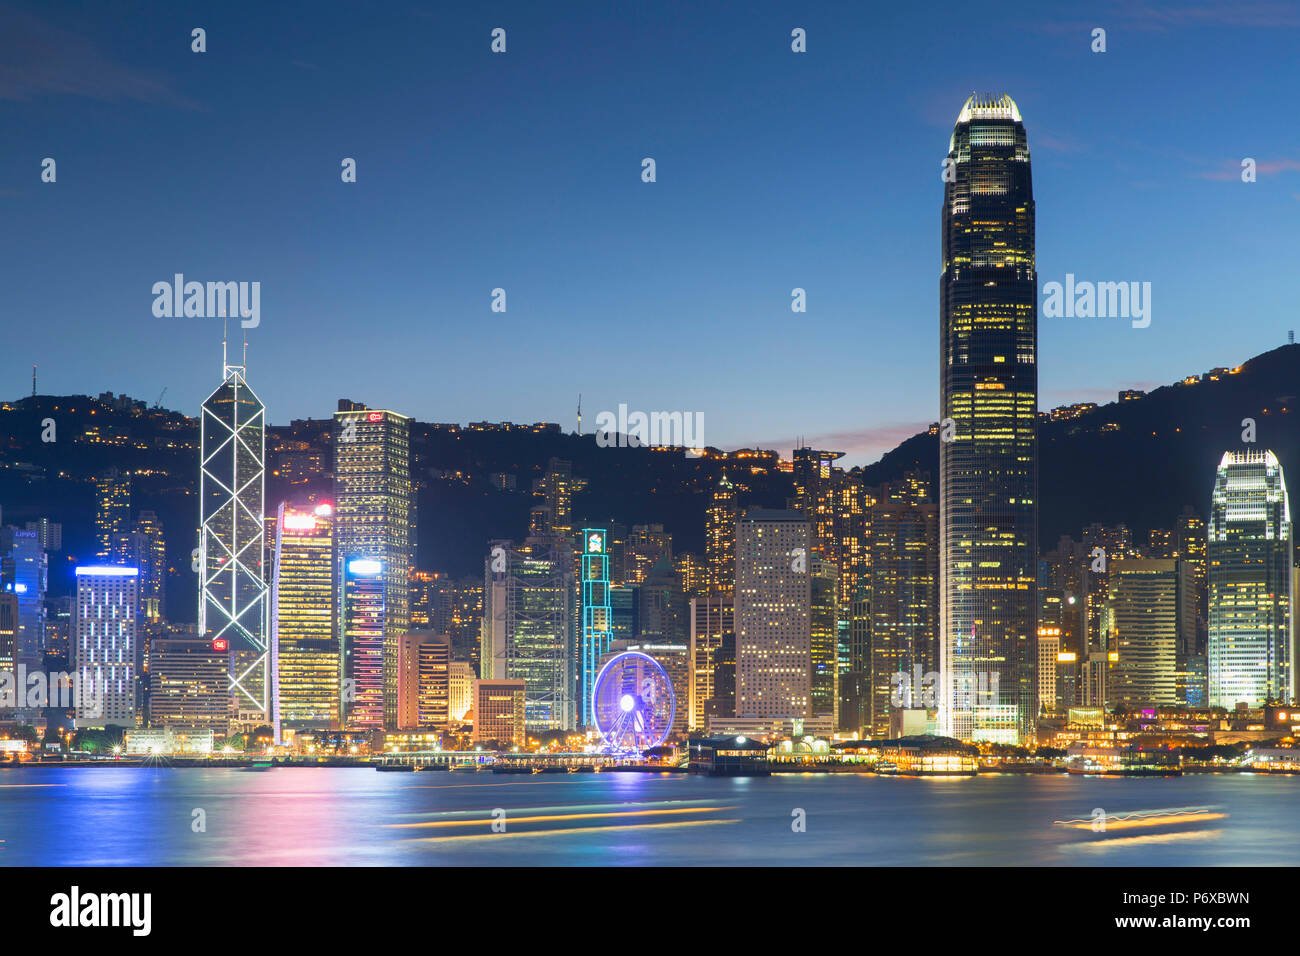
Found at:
[106, 646]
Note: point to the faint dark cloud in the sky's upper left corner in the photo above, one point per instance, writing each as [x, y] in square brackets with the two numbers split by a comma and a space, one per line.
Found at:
[40, 59]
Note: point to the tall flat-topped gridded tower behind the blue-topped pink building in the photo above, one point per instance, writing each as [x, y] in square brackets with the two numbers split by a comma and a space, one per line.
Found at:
[375, 516]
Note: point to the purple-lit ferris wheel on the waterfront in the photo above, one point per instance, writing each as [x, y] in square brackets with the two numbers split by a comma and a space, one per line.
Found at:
[634, 703]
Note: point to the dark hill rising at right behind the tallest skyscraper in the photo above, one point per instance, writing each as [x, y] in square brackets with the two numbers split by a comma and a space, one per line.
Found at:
[1139, 462]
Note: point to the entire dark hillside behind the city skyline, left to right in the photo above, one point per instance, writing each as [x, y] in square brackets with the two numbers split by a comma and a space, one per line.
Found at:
[1138, 462]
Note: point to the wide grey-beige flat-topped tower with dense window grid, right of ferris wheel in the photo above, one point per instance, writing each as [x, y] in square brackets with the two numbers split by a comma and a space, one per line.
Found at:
[774, 643]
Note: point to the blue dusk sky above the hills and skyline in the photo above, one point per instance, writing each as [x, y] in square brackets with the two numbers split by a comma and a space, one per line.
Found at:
[523, 171]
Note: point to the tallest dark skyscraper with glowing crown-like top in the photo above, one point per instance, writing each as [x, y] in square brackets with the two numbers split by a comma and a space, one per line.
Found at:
[989, 430]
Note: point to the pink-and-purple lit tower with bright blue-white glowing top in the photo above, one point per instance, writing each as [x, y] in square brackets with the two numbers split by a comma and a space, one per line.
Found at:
[363, 618]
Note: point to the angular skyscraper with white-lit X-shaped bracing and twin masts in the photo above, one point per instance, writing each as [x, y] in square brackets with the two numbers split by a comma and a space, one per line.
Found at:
[233, 595]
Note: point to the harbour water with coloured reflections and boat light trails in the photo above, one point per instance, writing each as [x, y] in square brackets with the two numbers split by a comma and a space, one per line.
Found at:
[343, 816]
